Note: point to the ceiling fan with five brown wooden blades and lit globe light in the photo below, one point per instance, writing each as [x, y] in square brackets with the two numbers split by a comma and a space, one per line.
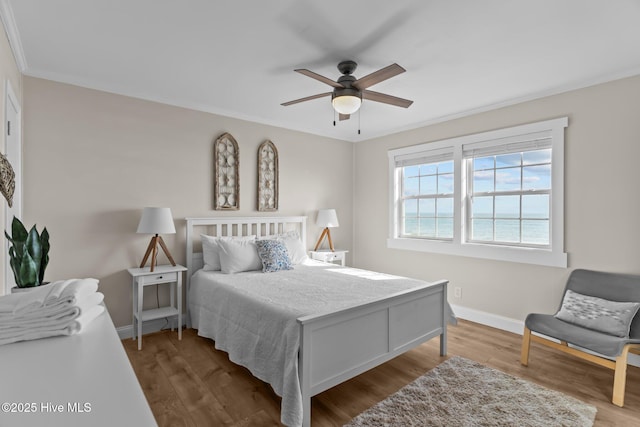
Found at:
[349, 92]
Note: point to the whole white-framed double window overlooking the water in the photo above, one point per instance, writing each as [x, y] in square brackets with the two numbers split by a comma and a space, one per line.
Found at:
[496, 195]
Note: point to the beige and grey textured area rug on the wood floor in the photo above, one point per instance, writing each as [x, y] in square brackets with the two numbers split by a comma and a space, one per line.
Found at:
[460, 392]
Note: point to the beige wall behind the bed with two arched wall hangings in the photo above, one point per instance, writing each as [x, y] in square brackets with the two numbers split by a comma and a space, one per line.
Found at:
[93, 160]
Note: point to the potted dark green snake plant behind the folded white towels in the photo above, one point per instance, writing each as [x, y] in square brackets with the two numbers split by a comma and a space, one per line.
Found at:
[28, 253]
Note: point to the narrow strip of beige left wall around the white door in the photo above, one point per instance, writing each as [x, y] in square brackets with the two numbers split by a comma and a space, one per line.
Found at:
[8, 72]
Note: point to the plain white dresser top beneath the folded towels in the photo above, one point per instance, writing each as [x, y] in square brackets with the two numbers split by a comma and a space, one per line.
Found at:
[80, 380]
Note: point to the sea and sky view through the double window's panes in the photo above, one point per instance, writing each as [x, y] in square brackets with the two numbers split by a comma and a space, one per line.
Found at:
[508, 199]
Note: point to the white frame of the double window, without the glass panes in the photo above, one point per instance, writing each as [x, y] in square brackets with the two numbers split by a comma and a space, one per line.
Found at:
[554, 255]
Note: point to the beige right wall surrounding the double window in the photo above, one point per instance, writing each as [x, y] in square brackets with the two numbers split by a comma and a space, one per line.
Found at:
[602, 201]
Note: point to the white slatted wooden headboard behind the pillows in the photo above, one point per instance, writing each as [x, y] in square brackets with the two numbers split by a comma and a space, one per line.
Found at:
[234, 226]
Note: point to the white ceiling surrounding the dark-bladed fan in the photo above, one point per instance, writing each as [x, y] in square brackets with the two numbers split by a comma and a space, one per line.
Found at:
[236, 58]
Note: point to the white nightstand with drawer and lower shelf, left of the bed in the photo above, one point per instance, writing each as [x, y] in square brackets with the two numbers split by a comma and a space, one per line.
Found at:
[162, 274]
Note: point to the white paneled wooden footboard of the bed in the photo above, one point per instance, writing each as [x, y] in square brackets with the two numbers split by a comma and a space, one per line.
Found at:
[338, 346]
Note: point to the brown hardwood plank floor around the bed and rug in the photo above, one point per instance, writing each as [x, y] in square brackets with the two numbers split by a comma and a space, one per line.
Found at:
[190, 383]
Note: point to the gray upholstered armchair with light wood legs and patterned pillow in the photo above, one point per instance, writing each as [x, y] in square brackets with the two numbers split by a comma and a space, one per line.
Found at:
[593, 324]
